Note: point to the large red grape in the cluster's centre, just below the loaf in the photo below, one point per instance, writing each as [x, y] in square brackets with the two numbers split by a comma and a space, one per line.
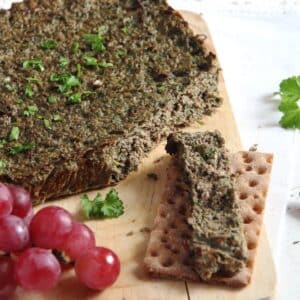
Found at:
[50, 227]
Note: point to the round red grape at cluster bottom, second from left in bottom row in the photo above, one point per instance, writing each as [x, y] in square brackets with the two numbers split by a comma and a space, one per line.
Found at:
[37, 269]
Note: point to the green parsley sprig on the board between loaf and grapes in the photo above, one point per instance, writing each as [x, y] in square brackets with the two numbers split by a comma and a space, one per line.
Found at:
[111, 206]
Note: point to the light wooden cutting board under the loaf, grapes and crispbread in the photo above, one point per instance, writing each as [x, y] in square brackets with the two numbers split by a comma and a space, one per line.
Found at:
[128, 235]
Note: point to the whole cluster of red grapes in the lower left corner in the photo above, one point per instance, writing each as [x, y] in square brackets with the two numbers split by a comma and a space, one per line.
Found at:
[27, 241]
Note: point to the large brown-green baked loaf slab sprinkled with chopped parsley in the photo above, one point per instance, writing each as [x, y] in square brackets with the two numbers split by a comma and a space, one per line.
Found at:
[89, 87]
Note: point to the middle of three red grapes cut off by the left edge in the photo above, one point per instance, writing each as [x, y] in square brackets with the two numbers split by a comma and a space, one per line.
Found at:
[14, 235]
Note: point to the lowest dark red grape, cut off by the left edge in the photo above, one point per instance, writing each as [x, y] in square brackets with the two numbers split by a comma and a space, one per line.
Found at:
[7, 278]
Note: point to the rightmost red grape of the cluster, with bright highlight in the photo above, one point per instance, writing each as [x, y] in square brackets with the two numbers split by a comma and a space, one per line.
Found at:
[98, 268]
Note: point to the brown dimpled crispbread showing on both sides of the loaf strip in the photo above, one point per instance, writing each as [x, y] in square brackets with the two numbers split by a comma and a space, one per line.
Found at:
[168, 253]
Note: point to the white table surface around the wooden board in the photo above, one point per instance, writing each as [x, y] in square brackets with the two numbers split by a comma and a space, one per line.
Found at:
[258, 45]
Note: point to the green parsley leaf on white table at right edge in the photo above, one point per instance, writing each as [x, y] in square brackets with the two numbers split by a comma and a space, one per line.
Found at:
[290, 96]
